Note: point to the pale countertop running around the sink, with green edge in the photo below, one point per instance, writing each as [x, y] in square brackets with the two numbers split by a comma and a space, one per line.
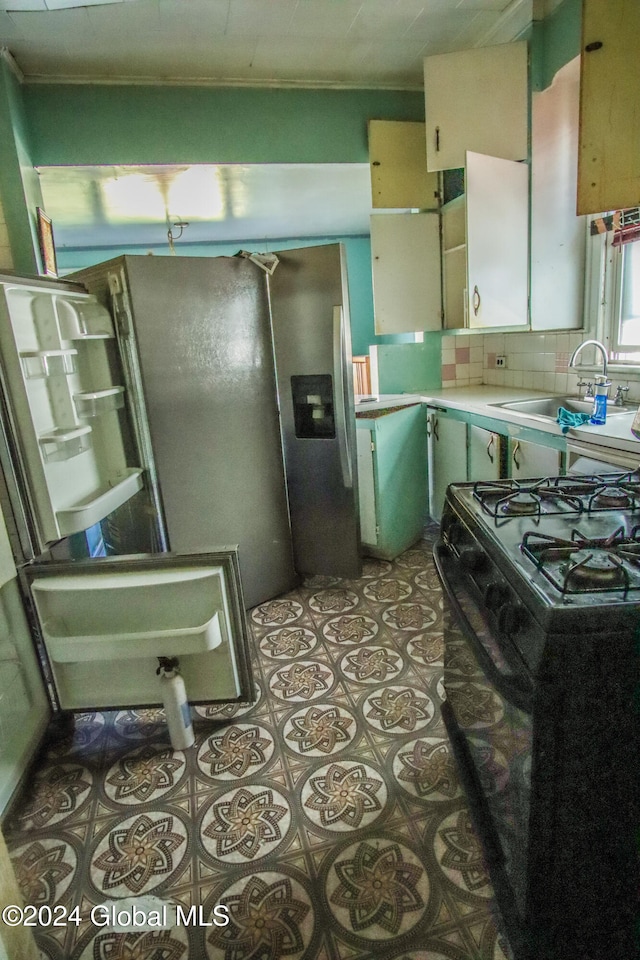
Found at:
[615, 434]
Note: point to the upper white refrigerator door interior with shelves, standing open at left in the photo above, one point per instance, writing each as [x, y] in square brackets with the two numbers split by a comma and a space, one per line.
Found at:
[62, 398]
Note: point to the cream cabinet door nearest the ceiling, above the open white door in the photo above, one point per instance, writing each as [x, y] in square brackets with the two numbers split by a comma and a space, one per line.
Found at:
[476, 100]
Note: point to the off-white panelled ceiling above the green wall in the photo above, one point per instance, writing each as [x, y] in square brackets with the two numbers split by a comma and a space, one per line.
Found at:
[366, 43]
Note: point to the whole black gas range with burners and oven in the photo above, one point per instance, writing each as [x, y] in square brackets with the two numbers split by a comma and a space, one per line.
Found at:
[542, 682]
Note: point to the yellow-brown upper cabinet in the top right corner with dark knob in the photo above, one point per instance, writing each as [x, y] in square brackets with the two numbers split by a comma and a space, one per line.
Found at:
[609, 147]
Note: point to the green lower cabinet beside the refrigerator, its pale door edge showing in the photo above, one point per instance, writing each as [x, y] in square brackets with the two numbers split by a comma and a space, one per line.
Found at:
[392, 478]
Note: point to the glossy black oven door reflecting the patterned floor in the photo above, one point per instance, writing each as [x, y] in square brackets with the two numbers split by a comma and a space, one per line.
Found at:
[488, 715]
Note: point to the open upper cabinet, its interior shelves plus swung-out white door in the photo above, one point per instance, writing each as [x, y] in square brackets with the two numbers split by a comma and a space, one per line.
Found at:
[485, 246]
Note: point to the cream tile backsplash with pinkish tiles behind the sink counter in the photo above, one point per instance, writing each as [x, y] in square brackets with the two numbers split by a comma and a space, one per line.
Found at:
[536, 361]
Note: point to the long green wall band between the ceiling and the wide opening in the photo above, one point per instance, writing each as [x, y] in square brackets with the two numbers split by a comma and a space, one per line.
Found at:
[84, 124]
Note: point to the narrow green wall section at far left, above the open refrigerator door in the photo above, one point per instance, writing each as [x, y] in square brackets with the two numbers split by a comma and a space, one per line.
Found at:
[19, 184]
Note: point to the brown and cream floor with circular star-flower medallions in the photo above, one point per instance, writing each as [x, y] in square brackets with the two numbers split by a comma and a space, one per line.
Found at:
[327, 817]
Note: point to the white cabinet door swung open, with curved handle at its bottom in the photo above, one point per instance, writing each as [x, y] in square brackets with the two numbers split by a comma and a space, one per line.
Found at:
[497, 195]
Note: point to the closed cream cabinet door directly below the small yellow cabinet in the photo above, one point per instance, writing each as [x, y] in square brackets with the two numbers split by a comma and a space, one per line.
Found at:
[405, 258]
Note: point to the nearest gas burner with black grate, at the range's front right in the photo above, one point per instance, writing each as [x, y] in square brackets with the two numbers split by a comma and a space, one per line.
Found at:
[583, 564]
